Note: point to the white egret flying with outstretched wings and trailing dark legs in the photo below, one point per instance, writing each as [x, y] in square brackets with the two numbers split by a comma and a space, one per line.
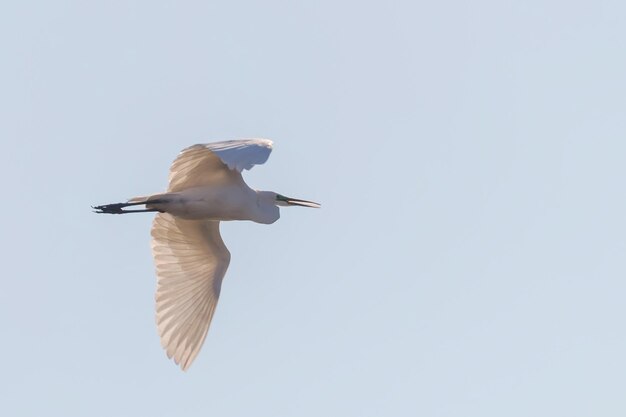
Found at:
[205, 187]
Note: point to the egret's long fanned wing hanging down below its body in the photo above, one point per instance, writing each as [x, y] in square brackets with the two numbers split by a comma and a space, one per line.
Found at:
[191, 260]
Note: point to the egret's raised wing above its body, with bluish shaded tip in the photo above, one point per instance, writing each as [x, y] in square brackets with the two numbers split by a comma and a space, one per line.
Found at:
[217, 162]
